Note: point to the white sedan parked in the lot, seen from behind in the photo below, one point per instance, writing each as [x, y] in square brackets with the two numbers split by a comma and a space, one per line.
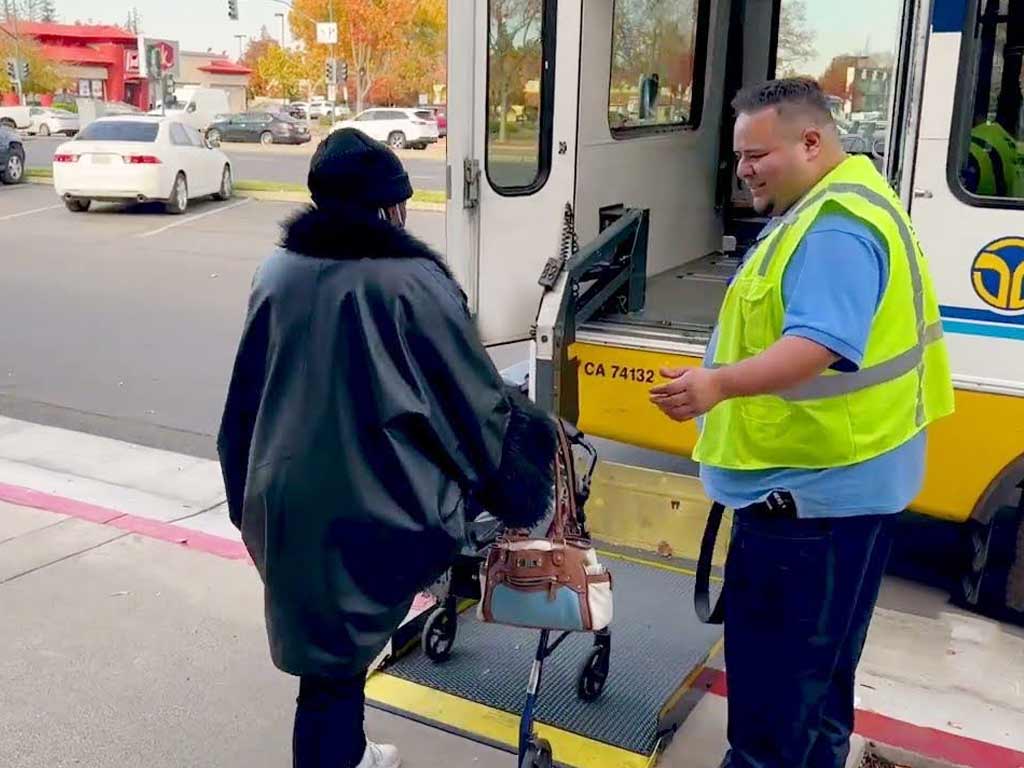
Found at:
[140, 159]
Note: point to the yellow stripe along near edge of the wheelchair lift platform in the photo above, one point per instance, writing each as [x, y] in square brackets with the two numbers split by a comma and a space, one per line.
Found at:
[494, 726]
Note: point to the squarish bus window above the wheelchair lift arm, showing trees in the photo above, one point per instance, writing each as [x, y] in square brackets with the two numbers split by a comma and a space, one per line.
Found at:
[657, 66]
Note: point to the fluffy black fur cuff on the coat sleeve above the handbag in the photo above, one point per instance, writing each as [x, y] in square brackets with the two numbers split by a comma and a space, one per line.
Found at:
[522, 492]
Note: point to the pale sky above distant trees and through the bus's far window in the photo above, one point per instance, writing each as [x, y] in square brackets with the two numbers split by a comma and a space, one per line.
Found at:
[198, 25]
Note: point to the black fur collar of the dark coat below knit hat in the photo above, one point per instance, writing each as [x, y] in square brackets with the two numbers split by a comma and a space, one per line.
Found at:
[348, 232]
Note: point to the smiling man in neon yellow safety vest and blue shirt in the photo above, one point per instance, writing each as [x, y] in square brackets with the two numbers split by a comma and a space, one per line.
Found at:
[826, 368]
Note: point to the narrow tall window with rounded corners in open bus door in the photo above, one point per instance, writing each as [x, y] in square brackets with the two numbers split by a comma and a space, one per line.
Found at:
[521, 41]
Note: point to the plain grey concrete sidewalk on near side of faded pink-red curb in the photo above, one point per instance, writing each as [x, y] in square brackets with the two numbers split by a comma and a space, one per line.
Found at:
[121, 651]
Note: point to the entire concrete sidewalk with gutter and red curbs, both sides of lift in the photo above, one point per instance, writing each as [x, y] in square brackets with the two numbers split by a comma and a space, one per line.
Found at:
[134, 636]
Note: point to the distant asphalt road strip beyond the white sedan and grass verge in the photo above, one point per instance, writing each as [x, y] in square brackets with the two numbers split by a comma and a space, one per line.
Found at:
[286, 164]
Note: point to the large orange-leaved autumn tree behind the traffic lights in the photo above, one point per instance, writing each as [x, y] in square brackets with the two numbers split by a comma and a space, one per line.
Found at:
[375, 37]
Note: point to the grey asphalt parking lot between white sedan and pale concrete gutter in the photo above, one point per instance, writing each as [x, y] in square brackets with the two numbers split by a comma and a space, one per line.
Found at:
[126, 319]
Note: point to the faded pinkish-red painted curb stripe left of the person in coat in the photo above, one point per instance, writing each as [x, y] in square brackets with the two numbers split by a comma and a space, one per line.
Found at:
[164, 532]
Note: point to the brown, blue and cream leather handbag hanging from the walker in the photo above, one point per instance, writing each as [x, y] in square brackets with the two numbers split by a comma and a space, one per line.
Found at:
[556, 583]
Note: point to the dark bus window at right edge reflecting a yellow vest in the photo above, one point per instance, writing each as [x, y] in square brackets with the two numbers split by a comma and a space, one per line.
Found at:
[989, 157]
